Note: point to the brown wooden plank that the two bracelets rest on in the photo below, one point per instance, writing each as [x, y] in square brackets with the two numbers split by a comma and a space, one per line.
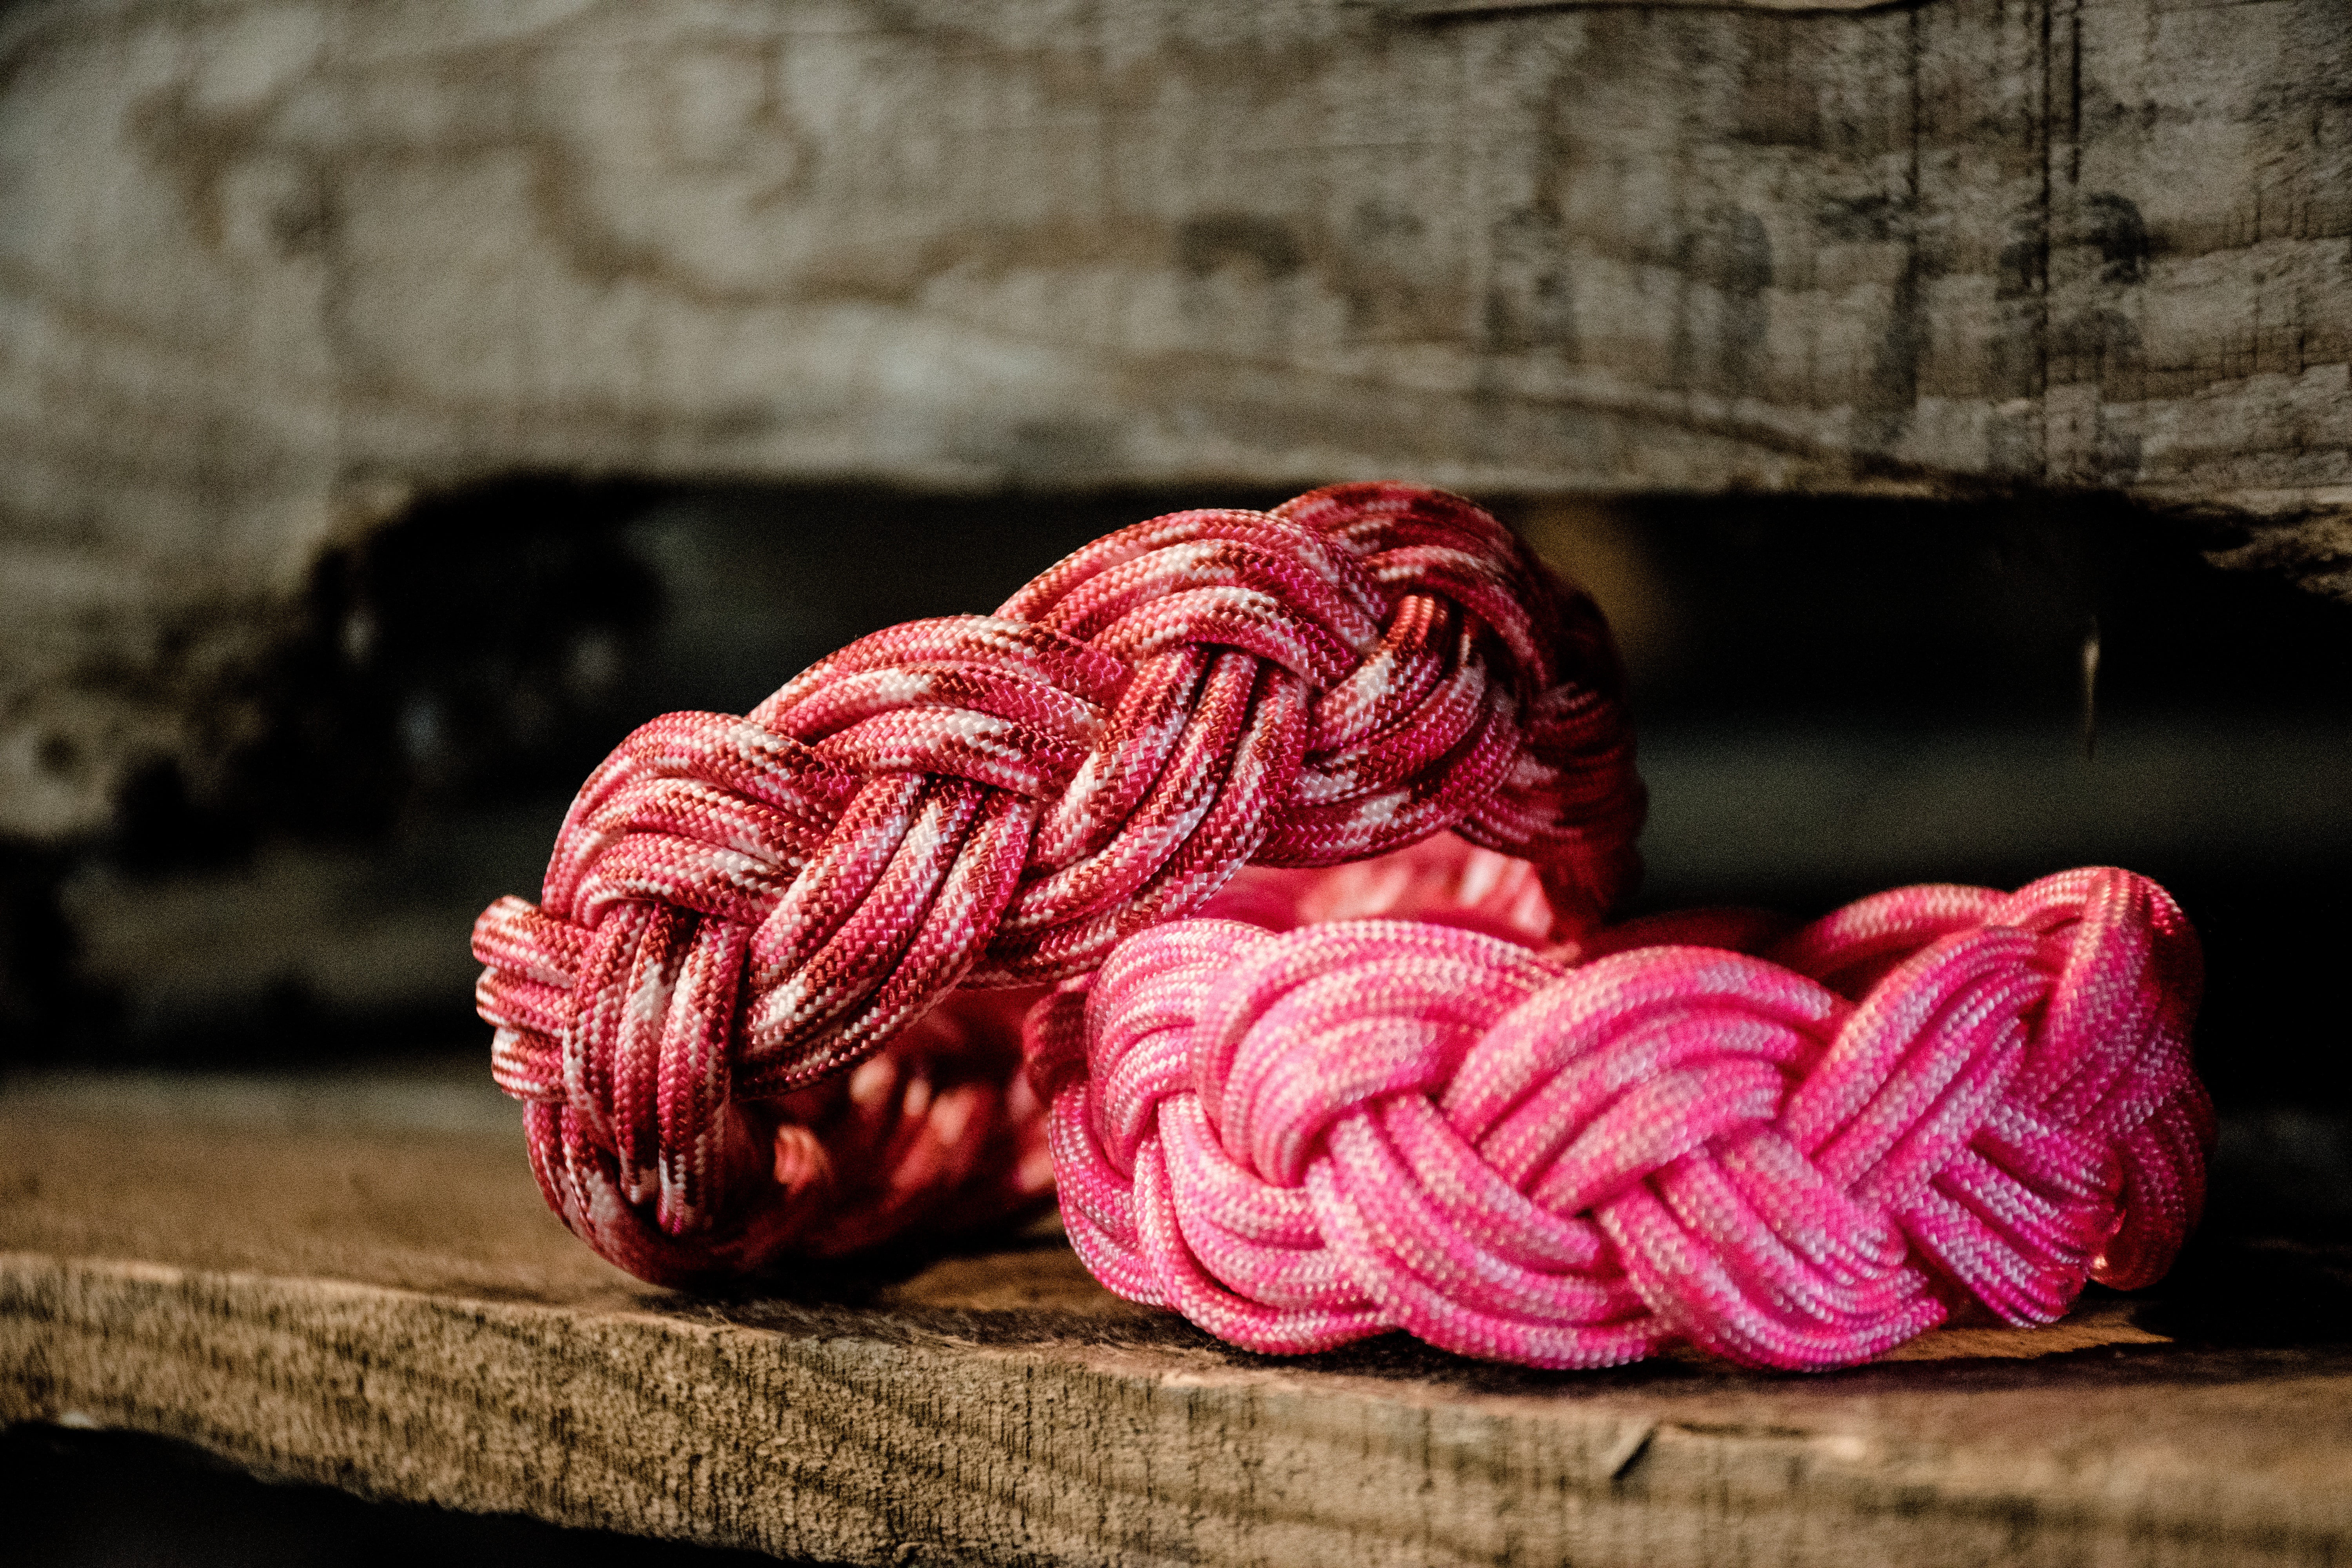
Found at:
[354, 1282]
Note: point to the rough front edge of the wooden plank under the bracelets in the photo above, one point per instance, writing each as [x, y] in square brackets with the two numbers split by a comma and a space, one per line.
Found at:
[881, 1447]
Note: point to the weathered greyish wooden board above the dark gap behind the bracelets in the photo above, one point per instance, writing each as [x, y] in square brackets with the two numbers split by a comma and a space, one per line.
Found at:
[274, 267]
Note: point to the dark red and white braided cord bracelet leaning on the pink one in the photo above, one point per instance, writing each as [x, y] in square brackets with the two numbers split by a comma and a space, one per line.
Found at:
[742, 909]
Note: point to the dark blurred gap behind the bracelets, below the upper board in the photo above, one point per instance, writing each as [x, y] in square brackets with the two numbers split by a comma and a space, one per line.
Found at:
[1833, 697]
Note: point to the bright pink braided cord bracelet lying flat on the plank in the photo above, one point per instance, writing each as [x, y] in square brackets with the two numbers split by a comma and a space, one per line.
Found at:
[1937, 1099]
